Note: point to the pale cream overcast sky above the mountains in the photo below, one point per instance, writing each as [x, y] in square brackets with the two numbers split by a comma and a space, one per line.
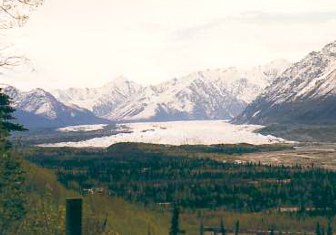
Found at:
[85, 43]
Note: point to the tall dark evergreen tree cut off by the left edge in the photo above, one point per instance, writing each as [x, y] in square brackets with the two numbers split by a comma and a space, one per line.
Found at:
[12, 200]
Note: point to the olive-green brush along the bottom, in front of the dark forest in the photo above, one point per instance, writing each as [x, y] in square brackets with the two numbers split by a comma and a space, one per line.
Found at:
[46, 213]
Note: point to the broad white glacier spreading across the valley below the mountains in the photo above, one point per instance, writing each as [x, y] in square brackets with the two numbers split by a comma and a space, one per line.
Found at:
[179, 133]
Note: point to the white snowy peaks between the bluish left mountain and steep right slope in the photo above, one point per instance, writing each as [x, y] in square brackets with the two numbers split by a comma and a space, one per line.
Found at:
[210, 94]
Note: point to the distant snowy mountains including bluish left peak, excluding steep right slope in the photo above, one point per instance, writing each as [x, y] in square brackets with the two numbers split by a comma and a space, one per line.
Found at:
[209, 94]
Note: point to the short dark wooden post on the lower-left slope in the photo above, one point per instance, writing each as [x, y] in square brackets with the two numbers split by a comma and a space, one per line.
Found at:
[74, 216]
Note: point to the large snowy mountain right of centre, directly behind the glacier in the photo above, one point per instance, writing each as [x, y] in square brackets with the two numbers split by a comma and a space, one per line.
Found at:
[210, 94]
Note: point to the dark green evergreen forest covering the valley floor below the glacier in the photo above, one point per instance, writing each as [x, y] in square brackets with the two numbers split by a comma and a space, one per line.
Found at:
[152, 177]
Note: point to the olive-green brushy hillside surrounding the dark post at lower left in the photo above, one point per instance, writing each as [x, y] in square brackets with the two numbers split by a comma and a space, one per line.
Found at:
[46, 197]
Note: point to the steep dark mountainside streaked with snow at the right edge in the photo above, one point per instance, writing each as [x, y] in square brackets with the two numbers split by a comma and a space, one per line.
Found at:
[304, 93]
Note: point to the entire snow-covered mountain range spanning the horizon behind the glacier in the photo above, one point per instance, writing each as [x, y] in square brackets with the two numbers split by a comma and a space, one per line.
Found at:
[278, 92]
